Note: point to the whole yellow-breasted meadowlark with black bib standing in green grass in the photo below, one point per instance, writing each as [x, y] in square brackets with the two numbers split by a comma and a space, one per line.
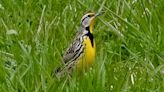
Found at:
[81, 53]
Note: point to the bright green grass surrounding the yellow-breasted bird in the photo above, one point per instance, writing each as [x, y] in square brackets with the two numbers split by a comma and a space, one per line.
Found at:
[129, 36]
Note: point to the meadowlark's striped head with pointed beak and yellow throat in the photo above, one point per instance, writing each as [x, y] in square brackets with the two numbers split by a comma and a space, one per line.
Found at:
[88, 21]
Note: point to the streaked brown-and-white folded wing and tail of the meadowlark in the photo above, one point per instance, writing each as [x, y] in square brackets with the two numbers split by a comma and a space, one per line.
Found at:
[70, 55]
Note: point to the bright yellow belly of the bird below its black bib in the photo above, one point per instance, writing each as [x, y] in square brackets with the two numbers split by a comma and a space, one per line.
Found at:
[89, 55]
